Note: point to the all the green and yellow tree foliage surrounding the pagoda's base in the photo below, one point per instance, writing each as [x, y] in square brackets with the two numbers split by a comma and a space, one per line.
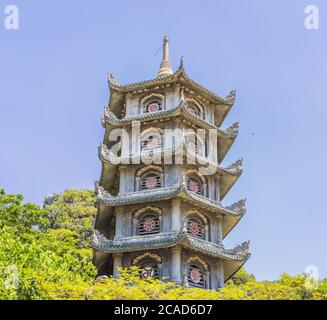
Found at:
[45, 254]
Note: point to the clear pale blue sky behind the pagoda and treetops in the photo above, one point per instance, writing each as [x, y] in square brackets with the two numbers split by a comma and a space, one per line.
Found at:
[53, 89]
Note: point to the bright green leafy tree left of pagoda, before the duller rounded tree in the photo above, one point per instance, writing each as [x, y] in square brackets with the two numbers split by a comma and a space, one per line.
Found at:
[37, 261]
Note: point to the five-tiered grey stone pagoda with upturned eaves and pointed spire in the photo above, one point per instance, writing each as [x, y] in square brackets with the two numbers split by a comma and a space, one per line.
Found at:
[161, 188]
